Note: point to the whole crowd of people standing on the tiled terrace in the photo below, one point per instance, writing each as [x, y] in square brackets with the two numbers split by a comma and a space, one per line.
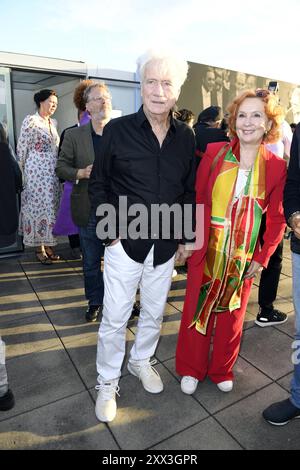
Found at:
[233, 164]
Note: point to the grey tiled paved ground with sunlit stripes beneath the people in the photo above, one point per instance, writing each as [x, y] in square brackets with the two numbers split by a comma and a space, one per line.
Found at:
[51, 354]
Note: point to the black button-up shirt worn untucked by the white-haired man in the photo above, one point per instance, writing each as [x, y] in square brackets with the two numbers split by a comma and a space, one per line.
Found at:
[131, 163]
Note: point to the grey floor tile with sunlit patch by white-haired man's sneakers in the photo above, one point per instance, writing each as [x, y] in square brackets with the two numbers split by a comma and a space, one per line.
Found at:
[144, 419]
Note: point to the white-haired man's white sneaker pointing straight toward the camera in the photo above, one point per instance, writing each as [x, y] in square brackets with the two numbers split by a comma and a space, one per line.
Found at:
[106, 407]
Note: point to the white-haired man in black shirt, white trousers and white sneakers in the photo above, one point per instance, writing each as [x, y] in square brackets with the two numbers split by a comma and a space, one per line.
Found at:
[148, 157]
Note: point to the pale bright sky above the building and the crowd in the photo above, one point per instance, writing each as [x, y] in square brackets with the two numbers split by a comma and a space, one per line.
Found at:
[260, 37]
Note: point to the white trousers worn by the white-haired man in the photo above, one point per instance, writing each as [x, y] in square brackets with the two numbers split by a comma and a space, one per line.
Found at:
[122, 276]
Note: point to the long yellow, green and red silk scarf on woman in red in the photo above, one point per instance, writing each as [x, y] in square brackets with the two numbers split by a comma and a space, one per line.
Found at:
[231, 242]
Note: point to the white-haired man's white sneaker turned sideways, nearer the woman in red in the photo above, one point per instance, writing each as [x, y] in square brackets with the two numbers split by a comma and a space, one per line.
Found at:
[149, 377]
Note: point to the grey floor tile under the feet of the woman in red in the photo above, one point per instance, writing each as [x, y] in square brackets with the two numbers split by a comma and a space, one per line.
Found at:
[247, 381]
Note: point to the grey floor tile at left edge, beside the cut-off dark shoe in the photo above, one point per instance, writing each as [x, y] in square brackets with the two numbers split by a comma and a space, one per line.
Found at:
[41, 378]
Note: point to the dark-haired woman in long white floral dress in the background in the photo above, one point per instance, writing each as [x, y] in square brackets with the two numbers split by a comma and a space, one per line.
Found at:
[37, 152]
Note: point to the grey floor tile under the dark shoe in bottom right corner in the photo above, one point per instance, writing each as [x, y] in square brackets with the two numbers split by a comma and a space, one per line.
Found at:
[244, 421]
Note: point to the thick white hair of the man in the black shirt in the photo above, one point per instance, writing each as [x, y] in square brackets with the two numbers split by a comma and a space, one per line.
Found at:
[175, 67]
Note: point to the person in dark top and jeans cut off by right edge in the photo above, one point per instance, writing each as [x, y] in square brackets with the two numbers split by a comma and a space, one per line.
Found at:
[282, 412]
